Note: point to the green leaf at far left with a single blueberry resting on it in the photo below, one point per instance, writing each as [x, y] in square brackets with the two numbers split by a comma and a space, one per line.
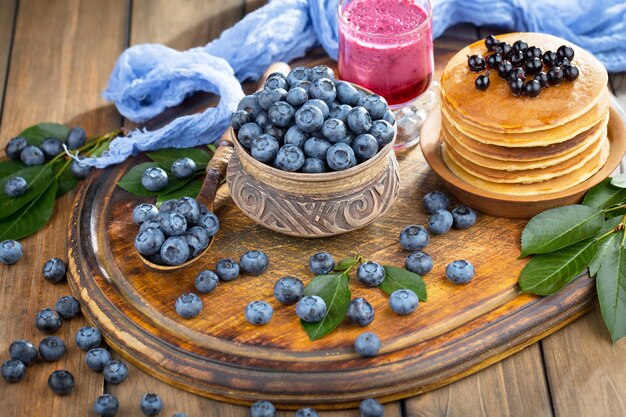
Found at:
[38, 178]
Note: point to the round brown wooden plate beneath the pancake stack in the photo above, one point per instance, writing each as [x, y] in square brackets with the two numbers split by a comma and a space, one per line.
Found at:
[516, 207]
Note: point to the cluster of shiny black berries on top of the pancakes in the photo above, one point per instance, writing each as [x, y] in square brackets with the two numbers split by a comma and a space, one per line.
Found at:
[519, 62]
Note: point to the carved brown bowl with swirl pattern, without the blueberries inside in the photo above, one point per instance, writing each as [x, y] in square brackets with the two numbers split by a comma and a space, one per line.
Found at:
[313, 205]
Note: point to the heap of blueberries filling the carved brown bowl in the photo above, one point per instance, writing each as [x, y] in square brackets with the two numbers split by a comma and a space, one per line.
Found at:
[309, 122]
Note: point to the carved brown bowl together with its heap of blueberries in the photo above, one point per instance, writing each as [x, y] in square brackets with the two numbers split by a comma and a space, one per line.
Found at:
[313, 154]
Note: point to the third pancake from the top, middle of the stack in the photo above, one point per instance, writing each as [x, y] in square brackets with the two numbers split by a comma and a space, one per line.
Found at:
[515, 159]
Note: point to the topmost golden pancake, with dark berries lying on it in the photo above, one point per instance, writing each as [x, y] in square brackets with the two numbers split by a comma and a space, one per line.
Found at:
[497, 110]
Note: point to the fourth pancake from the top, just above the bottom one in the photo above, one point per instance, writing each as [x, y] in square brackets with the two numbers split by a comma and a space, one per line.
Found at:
[531, 175]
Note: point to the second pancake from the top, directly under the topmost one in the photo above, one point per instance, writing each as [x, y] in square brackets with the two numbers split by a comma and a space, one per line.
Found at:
[546, 137]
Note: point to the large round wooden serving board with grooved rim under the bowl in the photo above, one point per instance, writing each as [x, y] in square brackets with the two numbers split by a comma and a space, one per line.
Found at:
[459, 330]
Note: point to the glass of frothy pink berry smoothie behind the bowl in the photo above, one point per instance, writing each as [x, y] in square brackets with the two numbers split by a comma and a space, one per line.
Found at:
[386, 46]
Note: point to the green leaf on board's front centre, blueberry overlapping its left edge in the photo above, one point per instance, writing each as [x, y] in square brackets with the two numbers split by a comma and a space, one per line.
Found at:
[334, 290]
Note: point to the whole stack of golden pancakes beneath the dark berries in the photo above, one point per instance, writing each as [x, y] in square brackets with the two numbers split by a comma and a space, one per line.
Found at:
[525, 146]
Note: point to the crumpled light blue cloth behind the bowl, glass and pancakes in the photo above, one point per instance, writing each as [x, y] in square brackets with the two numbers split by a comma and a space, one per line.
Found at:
[147, 79]
